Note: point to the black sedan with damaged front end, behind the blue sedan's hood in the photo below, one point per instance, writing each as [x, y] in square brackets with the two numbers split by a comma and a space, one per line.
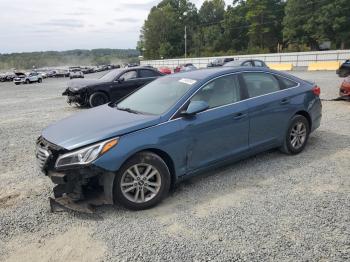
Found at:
[113, 86]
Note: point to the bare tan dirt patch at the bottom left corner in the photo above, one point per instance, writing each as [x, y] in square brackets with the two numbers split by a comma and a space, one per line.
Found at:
[74, 245]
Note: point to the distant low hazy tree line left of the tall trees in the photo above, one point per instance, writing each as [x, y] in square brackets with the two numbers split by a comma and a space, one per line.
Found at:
[64, 58]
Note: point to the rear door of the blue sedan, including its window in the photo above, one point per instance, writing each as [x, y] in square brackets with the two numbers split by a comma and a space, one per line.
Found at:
[269, 109]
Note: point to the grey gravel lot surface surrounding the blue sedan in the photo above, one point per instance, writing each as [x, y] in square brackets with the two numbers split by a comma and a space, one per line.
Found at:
[268, 207]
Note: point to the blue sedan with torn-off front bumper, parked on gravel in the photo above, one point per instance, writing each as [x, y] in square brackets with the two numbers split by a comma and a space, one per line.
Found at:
[133, 151]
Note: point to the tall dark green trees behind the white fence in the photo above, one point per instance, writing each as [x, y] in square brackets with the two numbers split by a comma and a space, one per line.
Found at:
[245, 26]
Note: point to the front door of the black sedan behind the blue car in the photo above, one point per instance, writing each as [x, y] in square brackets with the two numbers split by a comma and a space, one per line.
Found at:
[125, 84]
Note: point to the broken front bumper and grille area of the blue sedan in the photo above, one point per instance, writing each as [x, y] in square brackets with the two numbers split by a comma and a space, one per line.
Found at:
[76, 188]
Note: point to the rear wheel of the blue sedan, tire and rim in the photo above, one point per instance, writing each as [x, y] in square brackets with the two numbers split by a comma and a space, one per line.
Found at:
[297, 135]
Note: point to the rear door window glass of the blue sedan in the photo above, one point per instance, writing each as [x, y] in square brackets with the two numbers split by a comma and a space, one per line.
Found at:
[259, 83]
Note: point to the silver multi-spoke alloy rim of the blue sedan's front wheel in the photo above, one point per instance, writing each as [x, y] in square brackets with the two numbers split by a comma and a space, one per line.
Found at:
[140, 183]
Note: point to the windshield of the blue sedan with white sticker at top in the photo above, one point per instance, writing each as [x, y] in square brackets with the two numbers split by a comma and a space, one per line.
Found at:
[157, 97]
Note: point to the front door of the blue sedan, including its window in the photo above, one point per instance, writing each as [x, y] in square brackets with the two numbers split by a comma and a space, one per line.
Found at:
[222, 130]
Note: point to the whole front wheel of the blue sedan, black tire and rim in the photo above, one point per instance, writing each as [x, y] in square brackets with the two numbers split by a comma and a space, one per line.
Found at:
[138, 186]
